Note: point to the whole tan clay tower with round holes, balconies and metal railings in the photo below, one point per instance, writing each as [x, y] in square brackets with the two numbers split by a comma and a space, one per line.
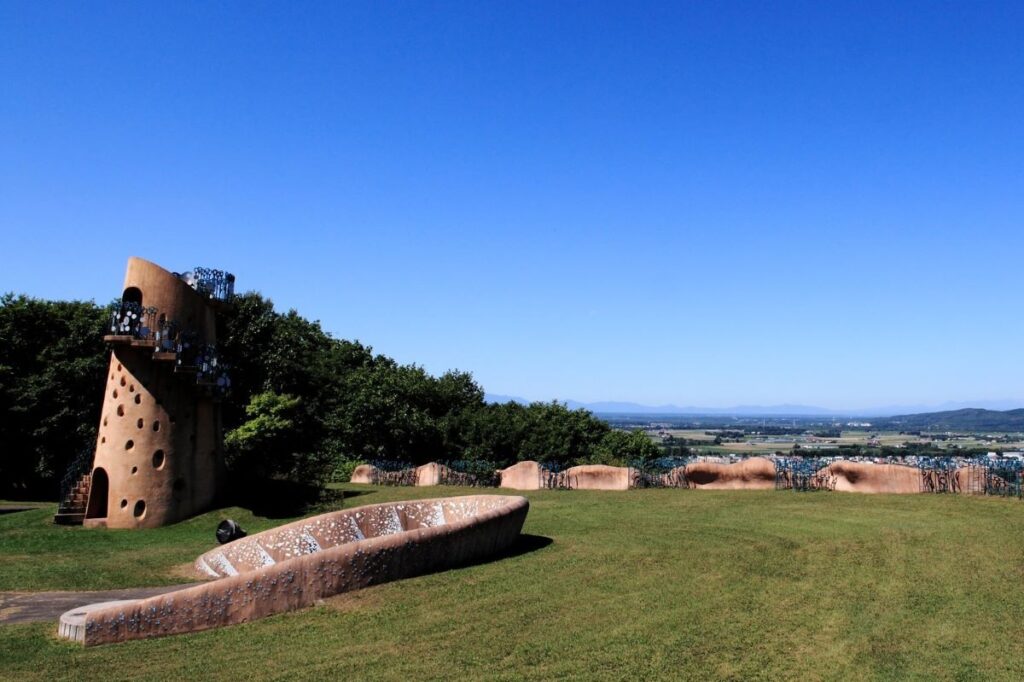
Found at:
[159, 452]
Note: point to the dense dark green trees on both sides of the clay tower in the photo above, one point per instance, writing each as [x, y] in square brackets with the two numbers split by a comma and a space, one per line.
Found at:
[303, 406]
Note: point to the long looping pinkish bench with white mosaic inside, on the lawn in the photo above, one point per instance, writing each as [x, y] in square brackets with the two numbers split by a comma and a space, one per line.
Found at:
[296, 565]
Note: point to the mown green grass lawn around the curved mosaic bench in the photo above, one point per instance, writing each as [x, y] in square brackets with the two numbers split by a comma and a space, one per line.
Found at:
[644, 584]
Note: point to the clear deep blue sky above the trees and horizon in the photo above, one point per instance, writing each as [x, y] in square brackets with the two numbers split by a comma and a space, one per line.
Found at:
[695, 203]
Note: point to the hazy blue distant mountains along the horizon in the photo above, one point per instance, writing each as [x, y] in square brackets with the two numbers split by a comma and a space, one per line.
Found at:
[947, 411]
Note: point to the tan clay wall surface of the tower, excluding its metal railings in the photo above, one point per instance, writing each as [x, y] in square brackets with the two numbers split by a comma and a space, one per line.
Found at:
[159, 442]
